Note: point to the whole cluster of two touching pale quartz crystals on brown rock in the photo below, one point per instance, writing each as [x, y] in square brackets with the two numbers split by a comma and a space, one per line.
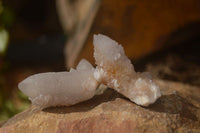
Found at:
[114, 70]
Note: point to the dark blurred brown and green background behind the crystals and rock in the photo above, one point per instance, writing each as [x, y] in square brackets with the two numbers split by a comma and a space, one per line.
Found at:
[162, 37]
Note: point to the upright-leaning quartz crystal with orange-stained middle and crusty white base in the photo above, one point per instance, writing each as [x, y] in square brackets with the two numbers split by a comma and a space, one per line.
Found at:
[115, 70]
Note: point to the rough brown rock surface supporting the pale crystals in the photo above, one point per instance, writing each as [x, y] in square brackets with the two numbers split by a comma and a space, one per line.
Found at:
[178, 110]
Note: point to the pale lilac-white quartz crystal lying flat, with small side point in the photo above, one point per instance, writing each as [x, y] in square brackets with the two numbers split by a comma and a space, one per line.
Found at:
[61, 88]
